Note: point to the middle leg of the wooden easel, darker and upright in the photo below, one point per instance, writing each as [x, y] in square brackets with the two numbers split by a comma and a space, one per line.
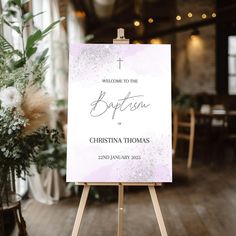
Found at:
[120, 210]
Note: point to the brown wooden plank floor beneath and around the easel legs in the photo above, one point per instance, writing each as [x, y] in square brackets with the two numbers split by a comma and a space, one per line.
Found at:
[200, 202]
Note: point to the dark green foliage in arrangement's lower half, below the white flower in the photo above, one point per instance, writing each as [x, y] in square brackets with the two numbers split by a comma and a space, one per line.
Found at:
[17, 151]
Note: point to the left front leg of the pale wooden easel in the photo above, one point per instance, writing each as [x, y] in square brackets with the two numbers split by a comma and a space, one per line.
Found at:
[80, 211]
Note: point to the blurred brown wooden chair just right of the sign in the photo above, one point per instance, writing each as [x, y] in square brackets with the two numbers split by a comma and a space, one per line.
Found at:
[184, 128]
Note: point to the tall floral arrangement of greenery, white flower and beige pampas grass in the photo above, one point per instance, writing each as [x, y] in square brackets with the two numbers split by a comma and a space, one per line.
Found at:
[21, 71]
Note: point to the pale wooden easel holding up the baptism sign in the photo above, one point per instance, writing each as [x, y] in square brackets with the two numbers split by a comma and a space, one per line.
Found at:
[151, 186]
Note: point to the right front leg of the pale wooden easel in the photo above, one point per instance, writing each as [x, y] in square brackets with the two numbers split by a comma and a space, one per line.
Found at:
[157, 210]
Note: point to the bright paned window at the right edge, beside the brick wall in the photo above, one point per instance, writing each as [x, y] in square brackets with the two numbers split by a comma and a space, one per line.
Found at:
[232, 65]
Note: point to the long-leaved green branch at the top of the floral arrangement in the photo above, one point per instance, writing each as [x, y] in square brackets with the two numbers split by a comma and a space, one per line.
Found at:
[17, 18]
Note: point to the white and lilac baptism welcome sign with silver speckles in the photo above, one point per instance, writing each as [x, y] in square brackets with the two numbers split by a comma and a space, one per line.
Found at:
[119, 113]
